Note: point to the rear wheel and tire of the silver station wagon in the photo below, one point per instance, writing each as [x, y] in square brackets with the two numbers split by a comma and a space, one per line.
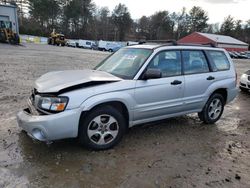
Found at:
[213, 109]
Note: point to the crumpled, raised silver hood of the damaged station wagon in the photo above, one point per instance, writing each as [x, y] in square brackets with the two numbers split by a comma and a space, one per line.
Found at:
[53, 82]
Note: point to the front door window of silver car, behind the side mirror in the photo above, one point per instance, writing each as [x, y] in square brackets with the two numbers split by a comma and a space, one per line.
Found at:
[169, 62]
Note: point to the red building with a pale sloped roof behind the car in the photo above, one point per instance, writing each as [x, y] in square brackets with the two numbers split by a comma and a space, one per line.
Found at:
[222, 41]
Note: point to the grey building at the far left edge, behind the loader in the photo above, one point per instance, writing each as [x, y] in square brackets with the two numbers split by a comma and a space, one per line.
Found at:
[9, 13]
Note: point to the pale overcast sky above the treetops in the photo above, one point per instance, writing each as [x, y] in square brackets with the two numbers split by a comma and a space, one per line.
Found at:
[217, 9]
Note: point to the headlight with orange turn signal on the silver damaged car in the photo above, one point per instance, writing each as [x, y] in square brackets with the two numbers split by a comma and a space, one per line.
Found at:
[53, 104]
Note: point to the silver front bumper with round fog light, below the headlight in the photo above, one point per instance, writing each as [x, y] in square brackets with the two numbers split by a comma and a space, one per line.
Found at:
[50, 127]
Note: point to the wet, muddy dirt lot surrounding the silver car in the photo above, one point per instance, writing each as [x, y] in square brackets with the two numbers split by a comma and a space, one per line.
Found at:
[178, 152]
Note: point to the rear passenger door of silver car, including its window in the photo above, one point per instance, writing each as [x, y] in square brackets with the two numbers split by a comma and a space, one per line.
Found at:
[198, 77]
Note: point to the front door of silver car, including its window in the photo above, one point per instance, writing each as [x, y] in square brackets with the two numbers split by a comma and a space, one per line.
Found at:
[162, 96]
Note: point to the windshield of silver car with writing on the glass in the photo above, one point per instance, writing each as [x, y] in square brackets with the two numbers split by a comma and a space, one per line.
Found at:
[125, 63]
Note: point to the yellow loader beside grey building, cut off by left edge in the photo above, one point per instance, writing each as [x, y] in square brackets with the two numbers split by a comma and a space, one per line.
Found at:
[7, 34]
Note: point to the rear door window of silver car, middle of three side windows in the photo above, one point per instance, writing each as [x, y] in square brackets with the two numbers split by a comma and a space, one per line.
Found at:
[194, 62]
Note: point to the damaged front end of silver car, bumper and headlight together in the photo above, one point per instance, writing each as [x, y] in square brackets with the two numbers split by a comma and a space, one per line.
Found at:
[46, 118]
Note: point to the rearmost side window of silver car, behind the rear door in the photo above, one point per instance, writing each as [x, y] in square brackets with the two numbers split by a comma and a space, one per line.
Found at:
[220, 60]
